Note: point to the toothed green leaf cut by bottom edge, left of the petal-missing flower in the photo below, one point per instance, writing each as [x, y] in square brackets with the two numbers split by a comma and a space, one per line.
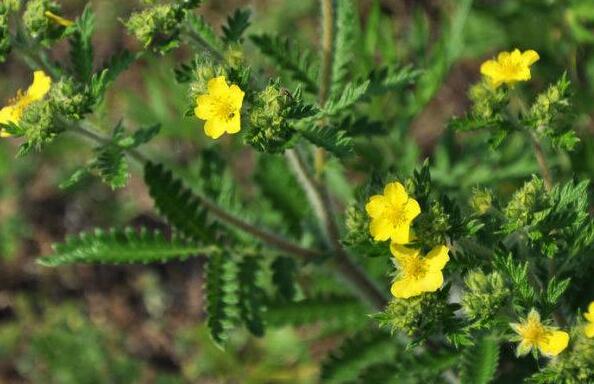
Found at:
[479, 362]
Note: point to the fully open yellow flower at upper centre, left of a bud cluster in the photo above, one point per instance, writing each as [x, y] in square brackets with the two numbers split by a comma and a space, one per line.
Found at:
[220, 107]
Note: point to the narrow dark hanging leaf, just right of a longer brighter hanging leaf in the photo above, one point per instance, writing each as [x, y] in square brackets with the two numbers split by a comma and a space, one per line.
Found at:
[251, 295]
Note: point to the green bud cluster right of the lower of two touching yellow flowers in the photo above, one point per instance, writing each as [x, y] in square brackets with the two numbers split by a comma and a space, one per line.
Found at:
[486, 294]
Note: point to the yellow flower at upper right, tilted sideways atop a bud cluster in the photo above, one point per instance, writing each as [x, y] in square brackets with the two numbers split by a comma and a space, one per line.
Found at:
[510, 67]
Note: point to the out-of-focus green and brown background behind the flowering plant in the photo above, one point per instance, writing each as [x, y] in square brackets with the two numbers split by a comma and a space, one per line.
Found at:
[143, 324]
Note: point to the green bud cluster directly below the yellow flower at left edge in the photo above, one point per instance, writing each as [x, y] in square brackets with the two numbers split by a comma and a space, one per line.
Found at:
[38, 123]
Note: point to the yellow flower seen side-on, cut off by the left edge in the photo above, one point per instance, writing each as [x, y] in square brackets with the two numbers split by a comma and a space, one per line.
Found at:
[13, 112]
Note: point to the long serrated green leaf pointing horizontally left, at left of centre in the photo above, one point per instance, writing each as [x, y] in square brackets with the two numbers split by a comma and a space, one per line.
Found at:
[116, 246]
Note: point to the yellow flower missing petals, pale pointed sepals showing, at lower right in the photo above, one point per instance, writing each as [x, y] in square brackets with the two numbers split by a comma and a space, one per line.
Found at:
[533, 334]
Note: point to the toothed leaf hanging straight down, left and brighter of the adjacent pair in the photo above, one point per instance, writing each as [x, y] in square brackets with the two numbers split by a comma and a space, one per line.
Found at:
[221, 296]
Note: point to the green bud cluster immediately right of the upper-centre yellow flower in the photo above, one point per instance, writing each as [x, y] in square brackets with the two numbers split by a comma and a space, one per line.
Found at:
[269, 129]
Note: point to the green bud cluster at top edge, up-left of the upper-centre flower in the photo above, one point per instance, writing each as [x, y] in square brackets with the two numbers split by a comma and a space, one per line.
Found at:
[157, 27]
